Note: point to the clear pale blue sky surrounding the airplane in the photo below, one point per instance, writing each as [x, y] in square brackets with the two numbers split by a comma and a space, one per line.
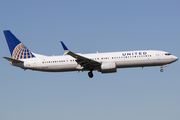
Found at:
[87, 27]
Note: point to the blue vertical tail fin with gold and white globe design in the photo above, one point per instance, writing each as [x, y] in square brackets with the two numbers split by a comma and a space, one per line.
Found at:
[17, 49]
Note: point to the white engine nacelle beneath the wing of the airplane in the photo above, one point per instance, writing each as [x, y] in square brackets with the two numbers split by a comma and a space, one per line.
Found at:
[108, 67]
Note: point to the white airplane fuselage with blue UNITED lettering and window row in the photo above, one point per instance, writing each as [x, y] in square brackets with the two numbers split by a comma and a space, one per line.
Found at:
[143, 58]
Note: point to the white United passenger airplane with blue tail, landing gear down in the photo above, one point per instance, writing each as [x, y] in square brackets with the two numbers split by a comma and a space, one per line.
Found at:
[108, 62]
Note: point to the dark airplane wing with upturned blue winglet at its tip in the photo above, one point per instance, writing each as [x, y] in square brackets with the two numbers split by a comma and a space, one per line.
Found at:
[85, 62]
